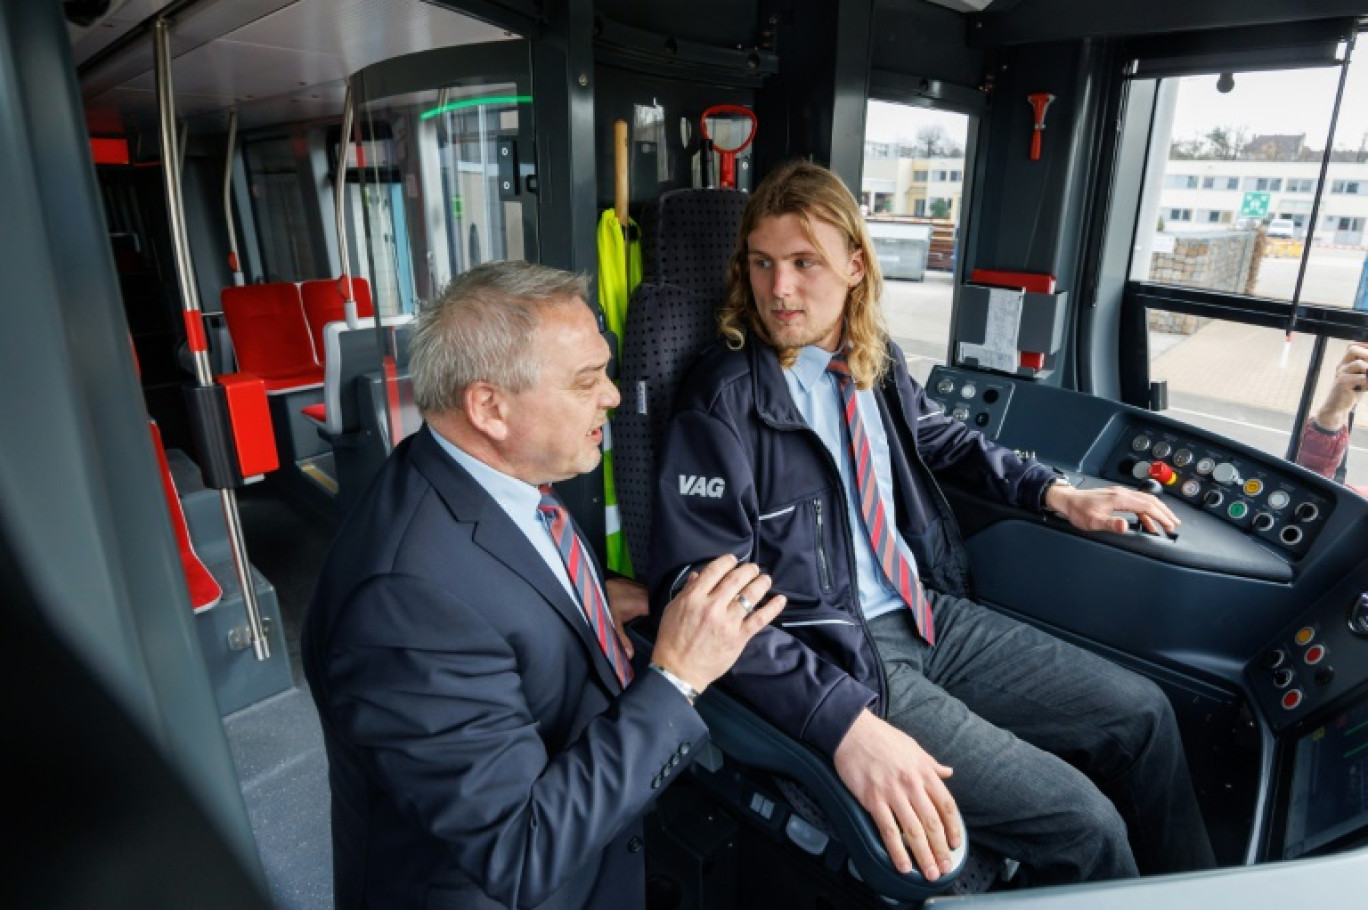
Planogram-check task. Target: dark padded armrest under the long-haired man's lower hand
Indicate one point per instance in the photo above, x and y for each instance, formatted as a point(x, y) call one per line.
point(752, 741)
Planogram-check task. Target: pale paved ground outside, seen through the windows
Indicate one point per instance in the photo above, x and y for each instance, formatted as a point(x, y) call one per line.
point(1239, 381)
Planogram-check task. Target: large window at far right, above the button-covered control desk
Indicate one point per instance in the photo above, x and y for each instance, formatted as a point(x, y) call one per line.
point(1250, 247)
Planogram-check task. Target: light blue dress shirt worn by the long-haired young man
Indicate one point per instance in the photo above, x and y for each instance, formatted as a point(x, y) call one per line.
point(819, 399)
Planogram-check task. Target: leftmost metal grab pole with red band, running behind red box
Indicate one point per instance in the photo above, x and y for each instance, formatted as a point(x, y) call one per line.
point(194, 320)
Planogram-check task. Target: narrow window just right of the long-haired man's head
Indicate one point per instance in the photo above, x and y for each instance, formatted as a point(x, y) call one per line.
point(913, 198)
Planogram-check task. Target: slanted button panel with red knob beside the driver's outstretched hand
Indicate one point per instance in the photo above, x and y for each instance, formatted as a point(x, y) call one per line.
point(1250, 495)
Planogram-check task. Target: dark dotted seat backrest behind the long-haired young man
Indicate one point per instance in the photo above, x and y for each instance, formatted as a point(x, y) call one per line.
point(689, 239)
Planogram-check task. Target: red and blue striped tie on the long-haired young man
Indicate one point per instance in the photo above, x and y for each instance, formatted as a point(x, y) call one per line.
point(882, 534)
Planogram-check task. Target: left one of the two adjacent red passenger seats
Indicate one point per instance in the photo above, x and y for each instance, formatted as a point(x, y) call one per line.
point(272, 336)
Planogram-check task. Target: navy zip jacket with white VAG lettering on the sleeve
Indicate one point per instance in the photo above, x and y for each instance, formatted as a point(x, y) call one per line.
point(742, 473)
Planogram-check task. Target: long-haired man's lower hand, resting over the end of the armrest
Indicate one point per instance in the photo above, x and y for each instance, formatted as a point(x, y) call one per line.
point(905, 790)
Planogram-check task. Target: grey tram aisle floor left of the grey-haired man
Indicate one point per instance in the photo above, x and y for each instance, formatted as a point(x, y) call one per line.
point(277, 744)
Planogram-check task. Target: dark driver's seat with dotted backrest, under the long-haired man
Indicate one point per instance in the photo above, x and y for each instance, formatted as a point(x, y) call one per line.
point(689, 237)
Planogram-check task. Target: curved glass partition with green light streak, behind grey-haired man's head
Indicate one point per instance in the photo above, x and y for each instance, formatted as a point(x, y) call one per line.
point(440, 180)
